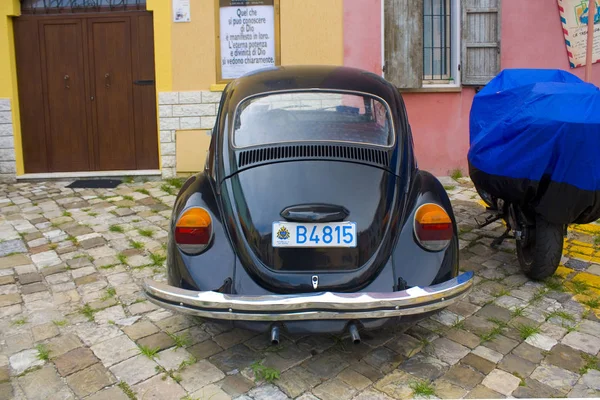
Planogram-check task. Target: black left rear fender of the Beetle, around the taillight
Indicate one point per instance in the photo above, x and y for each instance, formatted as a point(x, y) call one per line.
point(214, 268)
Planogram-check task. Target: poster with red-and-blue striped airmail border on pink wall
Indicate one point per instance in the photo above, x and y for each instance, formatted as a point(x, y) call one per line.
point(574, 19)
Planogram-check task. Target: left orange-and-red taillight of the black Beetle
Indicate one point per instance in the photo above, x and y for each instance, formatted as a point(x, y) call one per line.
point(193, 230)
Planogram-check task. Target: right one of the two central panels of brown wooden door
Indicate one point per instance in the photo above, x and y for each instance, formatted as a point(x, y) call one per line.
point(112, 85)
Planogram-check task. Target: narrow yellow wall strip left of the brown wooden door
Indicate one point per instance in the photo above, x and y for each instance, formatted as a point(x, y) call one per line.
point(8, 71)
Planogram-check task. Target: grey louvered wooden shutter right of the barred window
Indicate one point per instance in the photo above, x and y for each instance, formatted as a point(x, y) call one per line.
point(480, 41)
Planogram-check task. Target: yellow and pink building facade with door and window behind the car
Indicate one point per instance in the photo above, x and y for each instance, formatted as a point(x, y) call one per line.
point(131, 87)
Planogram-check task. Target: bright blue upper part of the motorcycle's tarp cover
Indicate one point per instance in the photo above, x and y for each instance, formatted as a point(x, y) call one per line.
point(527, 125)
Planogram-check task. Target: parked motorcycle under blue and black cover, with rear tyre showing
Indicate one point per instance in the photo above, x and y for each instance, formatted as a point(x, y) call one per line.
point(534, 144)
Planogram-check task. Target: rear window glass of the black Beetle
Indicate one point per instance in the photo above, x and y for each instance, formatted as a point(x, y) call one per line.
point(312, 116)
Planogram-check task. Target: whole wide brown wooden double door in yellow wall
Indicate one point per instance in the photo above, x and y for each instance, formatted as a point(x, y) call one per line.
point(87, 92)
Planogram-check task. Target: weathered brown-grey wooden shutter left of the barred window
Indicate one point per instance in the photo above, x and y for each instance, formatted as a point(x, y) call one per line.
point(403, 43)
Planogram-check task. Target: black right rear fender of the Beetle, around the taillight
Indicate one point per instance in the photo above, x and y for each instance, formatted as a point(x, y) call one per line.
point(413, 265)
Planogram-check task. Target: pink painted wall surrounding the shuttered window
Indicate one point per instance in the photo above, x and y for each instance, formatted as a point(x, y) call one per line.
point(440, 121)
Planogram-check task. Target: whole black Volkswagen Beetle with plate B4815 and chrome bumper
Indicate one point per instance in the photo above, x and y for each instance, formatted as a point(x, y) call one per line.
point(311, 214)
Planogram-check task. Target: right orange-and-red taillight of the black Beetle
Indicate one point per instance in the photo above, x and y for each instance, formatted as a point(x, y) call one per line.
point(433, 227)
